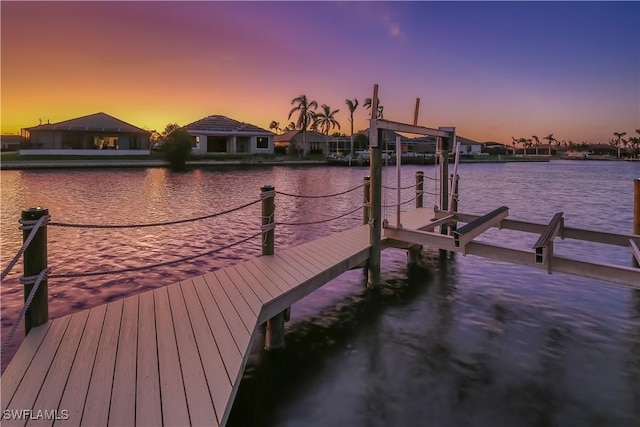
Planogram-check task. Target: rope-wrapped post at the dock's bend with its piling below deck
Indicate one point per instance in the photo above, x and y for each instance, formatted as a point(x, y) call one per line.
point(274, 331)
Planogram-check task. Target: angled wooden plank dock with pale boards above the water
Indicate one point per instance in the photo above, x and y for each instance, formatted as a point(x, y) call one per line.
point(174, 355)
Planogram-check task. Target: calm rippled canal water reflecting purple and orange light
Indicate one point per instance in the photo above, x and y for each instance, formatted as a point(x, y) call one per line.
point(457, 342)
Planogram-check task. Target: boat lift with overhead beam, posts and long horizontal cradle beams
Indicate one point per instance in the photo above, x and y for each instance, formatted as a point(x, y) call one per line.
point(453, 239)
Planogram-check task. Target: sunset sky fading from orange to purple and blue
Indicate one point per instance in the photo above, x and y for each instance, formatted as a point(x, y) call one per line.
point(493, 70)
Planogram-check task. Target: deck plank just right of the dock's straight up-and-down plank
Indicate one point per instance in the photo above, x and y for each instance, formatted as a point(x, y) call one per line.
point(172, 394)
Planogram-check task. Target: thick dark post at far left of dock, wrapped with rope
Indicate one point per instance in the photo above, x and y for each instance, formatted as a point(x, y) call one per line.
point(35, 260)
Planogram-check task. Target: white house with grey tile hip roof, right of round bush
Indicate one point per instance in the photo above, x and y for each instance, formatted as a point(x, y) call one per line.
point(220, 134)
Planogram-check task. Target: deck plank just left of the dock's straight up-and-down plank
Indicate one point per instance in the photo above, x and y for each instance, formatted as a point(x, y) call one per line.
point(123, 395)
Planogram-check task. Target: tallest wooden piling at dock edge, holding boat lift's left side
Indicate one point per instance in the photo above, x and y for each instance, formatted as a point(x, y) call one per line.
point(375, 139)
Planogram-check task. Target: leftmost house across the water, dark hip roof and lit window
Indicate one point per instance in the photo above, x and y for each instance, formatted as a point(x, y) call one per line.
point(95, 134)
